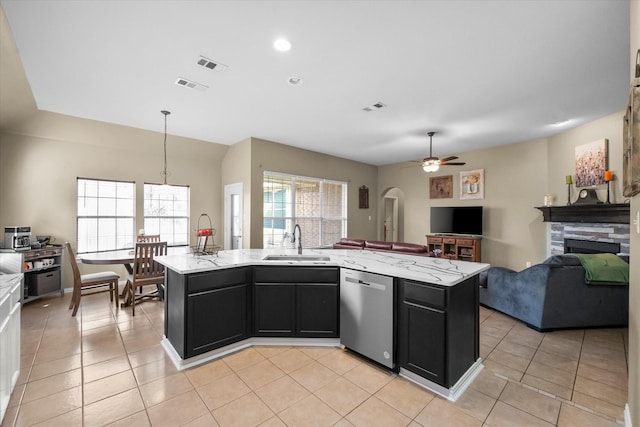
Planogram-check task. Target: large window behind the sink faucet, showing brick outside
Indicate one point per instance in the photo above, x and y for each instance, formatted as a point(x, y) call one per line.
point(318, 205)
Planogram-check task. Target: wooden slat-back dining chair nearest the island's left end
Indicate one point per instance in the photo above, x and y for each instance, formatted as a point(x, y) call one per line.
point(146, 271)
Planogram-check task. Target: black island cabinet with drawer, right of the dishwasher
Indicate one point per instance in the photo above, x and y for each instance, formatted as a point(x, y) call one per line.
point(438, 329)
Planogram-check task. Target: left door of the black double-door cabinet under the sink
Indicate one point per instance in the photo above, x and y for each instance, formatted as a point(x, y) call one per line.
point(274, 309)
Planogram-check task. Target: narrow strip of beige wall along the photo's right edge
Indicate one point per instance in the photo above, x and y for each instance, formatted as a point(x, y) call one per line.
point(634, 288)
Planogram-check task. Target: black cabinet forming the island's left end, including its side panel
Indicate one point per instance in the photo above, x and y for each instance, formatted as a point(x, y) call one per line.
point(206, 311)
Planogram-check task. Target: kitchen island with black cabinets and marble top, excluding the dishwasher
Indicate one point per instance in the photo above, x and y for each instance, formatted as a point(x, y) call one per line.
point(218, 304)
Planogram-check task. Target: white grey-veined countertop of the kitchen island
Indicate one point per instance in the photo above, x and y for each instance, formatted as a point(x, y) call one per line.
point(440, 271)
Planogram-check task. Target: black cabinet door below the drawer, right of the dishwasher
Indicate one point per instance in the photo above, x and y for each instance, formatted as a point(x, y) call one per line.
point(422, 341)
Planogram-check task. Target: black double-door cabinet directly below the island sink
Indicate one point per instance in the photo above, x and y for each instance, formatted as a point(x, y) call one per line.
point(296, 301)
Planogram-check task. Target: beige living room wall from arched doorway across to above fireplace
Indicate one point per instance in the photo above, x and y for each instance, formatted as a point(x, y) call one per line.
point(517, 177)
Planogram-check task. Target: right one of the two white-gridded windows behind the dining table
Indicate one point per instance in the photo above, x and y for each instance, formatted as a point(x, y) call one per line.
point(166, 212)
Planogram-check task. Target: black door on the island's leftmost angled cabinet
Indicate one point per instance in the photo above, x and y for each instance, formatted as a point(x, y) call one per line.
point(216, 317)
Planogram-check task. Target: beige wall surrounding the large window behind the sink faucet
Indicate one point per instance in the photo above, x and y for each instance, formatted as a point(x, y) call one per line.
point(274, 157)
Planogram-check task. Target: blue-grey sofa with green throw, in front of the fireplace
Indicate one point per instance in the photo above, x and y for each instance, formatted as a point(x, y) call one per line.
point(554, 295)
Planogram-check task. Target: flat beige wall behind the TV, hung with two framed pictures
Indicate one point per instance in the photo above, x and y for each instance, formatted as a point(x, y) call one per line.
point(513, 231)
